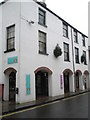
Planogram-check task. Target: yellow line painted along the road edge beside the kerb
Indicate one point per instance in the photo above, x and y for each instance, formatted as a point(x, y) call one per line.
point(29, 109)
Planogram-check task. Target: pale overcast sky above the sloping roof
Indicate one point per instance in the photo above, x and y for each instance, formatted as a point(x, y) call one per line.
point(74, 12)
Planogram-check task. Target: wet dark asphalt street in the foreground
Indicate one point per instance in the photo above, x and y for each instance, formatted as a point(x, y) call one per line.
point(75, 107)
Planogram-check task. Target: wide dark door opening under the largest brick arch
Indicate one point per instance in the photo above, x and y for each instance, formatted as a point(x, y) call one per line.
point(41, 84)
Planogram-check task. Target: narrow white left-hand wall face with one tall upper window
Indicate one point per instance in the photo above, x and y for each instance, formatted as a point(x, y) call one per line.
point(10, 16)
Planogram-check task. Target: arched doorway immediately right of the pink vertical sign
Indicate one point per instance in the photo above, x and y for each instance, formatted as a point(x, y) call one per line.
point(67, 75)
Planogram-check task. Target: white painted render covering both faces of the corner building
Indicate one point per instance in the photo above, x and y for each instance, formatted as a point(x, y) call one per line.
point(26, 48)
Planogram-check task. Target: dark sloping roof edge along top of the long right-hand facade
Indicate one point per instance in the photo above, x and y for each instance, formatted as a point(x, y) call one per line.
point(60, 18)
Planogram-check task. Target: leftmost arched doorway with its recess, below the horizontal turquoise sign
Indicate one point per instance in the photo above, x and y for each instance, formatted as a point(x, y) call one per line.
point(10, 84)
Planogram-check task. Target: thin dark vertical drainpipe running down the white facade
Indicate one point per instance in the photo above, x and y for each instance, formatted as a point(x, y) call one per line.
point(73, 60)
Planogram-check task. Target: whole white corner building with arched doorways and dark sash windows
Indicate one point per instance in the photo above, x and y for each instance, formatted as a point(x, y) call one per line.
point(41, 55)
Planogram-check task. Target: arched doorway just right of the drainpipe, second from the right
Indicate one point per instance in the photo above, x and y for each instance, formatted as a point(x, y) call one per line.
point(78, 82)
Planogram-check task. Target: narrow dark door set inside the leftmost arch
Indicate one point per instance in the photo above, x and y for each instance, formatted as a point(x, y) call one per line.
point(12, 86)
